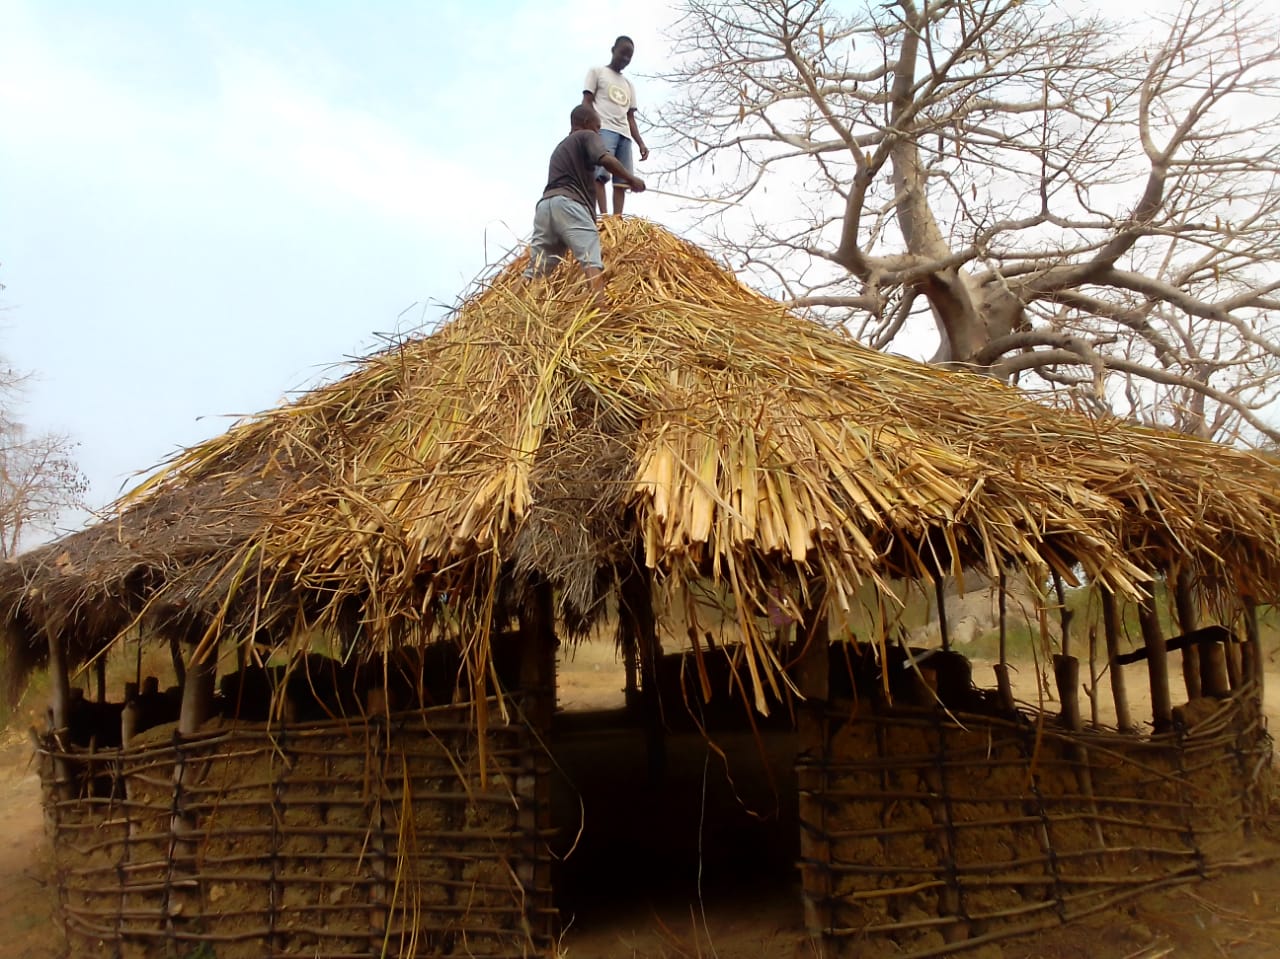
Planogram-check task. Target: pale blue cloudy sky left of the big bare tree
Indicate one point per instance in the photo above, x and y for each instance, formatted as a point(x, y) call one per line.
point(207, 205)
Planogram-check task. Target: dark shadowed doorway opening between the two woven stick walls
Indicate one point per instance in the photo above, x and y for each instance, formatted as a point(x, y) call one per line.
point(719, 828)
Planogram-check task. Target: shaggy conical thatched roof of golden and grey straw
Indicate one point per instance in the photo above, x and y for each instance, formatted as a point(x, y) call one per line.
point(693, 419)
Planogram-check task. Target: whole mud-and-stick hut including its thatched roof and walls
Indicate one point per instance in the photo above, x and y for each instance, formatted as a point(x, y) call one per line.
point(364, 591)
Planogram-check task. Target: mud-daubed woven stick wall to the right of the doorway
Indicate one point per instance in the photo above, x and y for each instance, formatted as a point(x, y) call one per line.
point(934, 835)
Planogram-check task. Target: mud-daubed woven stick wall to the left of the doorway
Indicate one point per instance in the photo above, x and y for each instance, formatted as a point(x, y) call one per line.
point(341, 839)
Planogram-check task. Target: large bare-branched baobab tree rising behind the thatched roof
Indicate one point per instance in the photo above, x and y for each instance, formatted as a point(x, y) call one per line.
point(1086, 207)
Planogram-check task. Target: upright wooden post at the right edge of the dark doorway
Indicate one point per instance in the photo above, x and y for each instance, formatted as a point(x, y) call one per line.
point(812, 677)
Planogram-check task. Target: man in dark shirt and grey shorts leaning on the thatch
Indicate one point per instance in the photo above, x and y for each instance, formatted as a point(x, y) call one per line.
point(565, 218)
